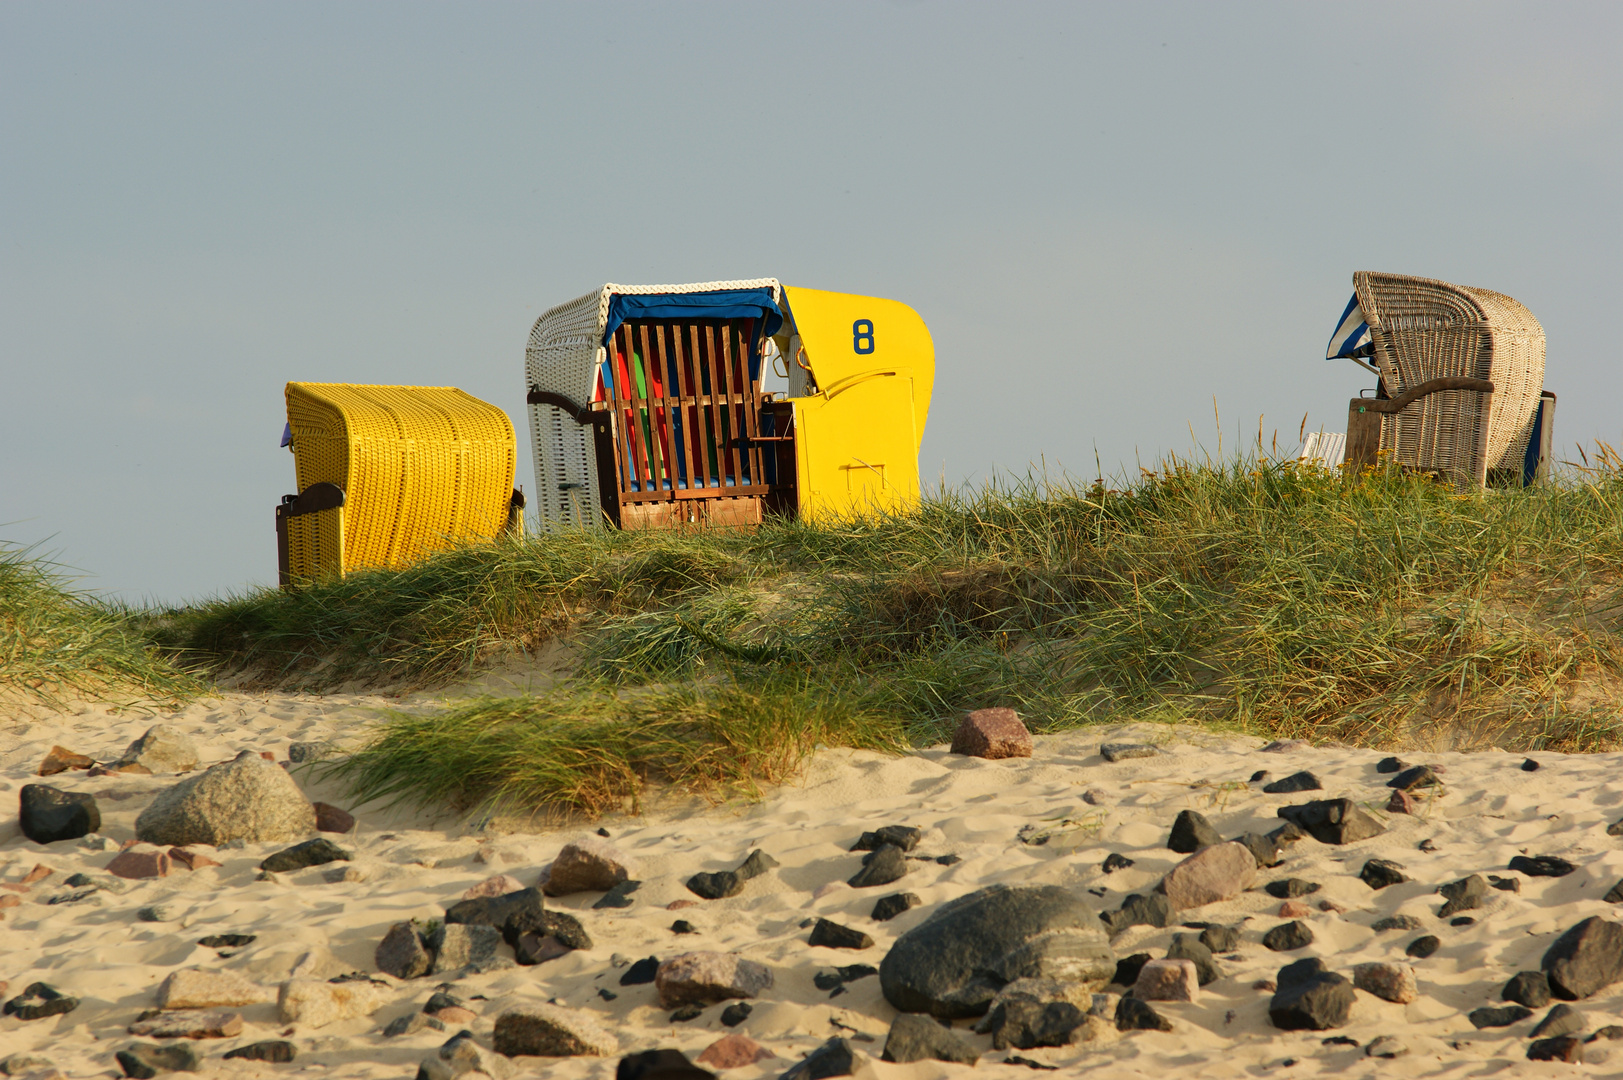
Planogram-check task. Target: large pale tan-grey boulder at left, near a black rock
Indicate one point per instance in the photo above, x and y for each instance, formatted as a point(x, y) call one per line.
point(246, 800)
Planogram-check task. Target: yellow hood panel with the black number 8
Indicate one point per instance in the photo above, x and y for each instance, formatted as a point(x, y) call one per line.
point(848, 335)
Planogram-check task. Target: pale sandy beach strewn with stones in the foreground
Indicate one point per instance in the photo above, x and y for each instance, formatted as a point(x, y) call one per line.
point(1043, 821)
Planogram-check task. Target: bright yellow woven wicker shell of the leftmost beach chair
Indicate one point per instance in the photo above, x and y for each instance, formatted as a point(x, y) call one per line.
point(421, 469)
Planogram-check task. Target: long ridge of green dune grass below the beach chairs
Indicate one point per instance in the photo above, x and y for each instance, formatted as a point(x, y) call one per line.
point(1259, 595)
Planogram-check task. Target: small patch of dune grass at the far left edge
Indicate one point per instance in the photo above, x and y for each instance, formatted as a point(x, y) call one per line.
point(58, 641)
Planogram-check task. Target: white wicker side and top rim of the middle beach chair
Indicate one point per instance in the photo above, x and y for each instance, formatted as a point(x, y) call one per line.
point(562, 356)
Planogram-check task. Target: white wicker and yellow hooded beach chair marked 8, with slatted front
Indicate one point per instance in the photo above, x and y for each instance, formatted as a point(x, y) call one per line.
point(647, 405)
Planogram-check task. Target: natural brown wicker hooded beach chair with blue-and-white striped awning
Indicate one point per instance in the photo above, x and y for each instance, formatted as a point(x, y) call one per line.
point(1462, 381)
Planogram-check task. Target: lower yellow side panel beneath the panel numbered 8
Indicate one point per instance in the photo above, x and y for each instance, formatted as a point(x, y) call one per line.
point(858, 447)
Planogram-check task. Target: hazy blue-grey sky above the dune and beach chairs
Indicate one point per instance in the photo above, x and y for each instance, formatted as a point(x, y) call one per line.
point(1129, 227)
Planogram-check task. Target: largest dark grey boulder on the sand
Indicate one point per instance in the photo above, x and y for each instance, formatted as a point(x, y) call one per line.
point(952, 964)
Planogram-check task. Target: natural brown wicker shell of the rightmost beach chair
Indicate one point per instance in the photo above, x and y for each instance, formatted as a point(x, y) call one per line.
point(1426, 329)
